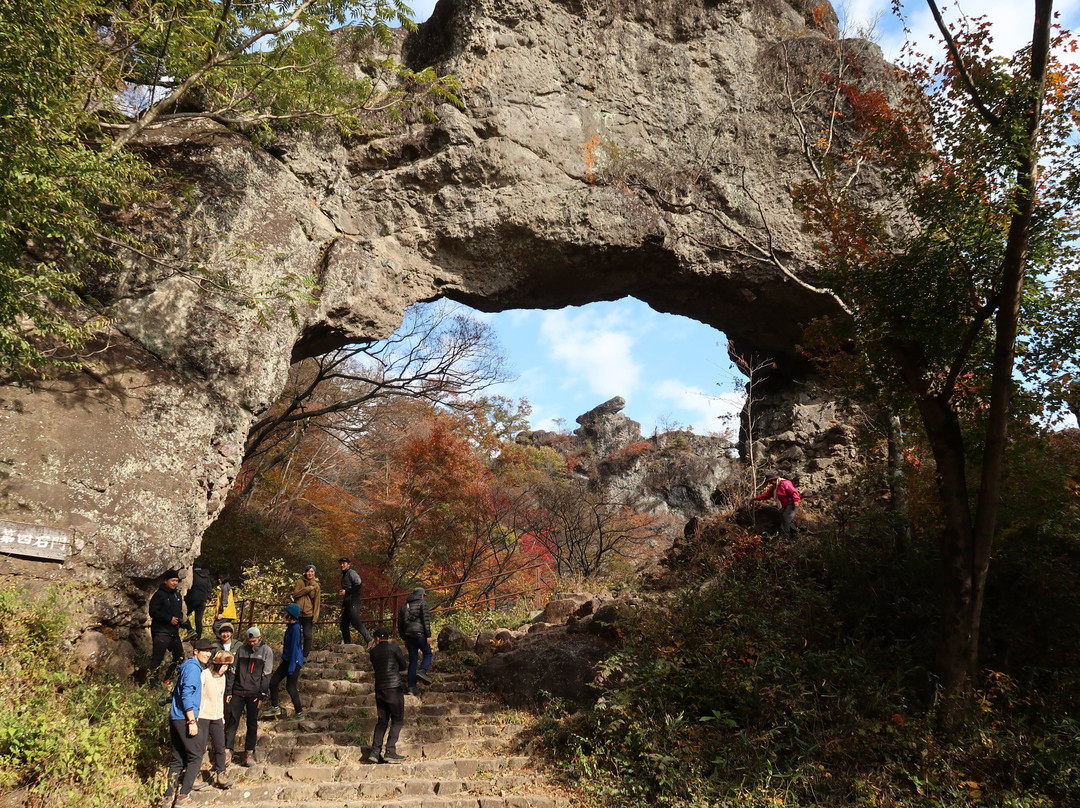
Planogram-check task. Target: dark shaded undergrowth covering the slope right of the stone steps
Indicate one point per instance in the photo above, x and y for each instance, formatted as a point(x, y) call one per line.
point(800, 678)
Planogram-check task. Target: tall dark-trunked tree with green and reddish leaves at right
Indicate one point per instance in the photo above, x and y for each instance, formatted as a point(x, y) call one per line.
point(981, 159)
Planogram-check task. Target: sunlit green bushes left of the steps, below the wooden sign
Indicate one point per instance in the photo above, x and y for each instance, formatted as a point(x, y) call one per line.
point(69, 737)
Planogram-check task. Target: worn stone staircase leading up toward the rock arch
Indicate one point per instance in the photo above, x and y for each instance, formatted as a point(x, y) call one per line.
point(460, 745)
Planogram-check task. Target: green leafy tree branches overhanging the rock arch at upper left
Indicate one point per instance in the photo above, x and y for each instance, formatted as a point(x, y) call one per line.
point(80, 80)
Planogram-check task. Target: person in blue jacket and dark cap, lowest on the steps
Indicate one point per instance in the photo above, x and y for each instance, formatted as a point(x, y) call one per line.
point(188, 744)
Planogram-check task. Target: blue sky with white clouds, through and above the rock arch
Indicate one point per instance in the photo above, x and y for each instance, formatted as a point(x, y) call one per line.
point(673, 371)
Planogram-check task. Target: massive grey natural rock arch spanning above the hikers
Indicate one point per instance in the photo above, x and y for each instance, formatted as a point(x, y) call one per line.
point(603, 151)
